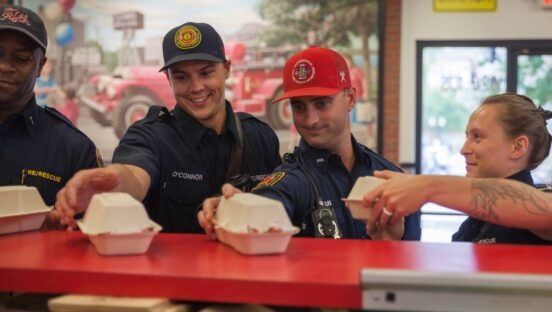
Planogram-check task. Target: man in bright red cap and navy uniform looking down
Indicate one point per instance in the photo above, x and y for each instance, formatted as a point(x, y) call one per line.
point(323, 168)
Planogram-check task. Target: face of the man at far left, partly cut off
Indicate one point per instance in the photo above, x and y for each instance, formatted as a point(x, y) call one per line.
point(21, 61)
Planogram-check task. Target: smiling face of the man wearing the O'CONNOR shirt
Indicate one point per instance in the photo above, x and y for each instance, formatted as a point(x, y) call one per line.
point(198, 87)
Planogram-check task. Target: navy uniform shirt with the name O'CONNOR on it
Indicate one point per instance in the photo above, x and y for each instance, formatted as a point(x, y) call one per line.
point(187, 162)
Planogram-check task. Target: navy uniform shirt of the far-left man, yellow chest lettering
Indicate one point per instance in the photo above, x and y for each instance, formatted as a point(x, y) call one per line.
point(40, 147)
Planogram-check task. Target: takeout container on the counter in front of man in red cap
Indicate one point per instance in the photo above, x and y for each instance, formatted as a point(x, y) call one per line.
point(238, 215)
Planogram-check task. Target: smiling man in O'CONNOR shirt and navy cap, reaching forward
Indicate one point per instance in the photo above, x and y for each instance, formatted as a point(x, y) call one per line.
point(173, 160)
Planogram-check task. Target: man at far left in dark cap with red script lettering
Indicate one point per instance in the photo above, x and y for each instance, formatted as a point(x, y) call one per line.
point(39, 146)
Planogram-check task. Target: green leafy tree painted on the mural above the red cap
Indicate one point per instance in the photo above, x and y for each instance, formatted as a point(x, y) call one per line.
point(325, 23)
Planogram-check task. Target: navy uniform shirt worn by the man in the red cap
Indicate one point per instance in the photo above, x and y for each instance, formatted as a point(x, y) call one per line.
point(293, 188)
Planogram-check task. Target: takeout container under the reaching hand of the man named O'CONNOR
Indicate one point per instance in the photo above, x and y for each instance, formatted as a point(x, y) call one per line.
point(118, 224)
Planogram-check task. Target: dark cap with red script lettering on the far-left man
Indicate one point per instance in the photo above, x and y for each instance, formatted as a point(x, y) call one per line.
point(25, 21)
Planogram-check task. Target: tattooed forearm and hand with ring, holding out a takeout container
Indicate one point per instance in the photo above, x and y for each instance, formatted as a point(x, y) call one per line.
point(500, 201)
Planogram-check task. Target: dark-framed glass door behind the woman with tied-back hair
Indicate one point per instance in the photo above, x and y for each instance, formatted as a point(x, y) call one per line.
point(452, 78)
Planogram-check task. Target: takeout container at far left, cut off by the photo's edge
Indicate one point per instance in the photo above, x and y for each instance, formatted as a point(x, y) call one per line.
point(21, 209)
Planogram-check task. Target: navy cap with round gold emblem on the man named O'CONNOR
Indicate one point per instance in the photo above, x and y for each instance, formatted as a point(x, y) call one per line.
point(191, 42)
